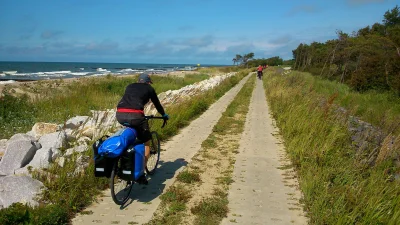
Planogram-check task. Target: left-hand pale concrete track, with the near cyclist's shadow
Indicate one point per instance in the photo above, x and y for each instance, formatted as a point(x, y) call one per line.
point(178, 152)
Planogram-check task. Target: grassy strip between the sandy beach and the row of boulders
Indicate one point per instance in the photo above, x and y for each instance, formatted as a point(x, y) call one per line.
point(18, 114)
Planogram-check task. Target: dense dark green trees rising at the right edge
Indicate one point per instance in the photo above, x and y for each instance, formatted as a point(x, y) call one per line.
point(366, 59)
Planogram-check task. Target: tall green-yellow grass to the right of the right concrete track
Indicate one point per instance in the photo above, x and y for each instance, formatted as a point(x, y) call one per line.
point(337, 188)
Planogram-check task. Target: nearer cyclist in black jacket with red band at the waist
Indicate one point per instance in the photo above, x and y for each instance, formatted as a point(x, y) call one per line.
point(130, 110)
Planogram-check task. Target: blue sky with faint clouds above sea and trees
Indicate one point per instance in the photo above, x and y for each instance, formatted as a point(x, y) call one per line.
point(174, 31)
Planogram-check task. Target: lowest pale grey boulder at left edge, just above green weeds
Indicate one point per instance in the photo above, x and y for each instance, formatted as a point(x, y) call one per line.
point(19, 189)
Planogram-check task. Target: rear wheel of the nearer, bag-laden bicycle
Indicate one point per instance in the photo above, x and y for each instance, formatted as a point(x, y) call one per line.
point(120, 189)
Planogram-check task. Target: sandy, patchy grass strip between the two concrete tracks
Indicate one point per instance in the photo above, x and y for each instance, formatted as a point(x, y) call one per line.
point(200, 193)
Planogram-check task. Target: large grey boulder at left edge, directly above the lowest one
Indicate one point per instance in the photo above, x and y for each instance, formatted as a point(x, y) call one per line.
point(17, 155)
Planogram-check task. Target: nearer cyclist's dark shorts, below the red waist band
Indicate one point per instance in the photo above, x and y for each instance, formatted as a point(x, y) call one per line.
point(137, 121)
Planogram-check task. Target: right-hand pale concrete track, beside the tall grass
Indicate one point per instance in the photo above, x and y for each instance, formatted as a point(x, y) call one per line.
point(262, 192)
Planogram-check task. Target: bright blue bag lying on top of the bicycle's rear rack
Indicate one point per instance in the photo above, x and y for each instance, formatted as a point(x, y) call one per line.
point(116, 144)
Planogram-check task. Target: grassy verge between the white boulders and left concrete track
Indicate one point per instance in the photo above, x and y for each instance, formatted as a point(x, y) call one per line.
point(72, 193)
